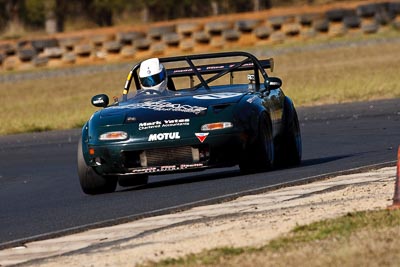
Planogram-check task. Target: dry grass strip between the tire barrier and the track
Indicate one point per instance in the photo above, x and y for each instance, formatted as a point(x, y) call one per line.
point(311, 77)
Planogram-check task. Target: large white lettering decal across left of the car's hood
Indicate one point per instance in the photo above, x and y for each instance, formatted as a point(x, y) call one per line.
point(163, 105)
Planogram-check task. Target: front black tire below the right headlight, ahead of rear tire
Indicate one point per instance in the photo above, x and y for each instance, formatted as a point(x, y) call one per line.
point(259, 156)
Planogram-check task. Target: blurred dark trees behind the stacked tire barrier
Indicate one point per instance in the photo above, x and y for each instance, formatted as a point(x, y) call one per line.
point(52, 15)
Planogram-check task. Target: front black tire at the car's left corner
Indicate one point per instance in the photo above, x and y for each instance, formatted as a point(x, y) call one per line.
point(91, 182)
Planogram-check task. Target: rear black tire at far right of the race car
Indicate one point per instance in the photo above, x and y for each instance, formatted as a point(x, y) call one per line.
point(288, 145)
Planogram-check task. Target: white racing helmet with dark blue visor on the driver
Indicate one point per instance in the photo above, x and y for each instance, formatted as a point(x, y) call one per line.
point(153, 75)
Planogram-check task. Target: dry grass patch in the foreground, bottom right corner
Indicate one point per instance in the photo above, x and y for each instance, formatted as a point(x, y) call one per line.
point(357, 239)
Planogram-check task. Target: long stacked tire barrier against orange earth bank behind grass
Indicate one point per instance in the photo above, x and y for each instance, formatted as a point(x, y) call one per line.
point(200, 35)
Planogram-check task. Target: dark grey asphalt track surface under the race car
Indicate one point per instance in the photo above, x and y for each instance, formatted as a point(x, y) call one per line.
point(40, 194)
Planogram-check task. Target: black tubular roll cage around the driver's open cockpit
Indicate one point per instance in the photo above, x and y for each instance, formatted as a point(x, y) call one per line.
point(250, 62)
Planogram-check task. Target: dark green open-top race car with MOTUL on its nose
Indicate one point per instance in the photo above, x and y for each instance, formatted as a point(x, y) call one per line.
point(220, 109)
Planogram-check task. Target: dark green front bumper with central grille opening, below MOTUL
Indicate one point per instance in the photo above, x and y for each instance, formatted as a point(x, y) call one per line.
point(187, 154)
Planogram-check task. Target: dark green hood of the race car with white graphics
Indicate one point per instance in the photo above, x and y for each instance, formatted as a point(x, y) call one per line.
point(174, 107)
